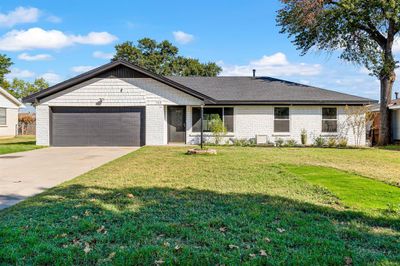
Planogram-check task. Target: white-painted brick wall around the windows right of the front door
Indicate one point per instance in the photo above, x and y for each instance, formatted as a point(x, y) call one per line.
point(250, 121)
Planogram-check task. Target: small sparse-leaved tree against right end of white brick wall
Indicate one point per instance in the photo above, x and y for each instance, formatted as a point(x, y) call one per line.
point(357, 118)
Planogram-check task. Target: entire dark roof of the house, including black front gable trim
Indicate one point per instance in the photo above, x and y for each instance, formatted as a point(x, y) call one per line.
point(216, 90)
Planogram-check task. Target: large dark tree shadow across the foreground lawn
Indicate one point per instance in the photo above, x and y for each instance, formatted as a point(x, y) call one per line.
point(188, 226)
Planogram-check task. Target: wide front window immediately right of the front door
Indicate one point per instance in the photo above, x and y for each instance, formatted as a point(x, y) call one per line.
point(225, 113)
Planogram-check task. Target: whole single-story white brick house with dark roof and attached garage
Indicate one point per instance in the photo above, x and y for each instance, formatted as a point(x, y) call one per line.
point(122, 104)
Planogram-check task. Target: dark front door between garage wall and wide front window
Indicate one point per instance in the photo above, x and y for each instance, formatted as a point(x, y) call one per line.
point(176, 124)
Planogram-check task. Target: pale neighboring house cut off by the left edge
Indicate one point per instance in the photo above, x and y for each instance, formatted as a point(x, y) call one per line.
point(9, 106)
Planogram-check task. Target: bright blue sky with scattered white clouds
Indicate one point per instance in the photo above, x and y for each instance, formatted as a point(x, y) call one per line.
point(60, 39)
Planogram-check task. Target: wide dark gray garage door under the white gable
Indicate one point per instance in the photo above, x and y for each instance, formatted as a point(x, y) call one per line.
point(97, 126)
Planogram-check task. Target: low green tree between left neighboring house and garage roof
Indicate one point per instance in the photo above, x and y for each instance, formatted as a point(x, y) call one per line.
point(20, 88)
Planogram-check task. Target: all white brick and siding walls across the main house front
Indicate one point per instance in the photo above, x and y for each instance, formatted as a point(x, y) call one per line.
point(249, 121)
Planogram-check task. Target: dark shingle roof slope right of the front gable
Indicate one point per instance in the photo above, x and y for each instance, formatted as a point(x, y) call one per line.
point(263, 89)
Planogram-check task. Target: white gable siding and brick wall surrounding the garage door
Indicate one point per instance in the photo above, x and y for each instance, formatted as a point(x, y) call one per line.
point(112, 92)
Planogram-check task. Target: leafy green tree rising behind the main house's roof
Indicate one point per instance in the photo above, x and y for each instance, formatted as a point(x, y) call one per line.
point(163, 58)
